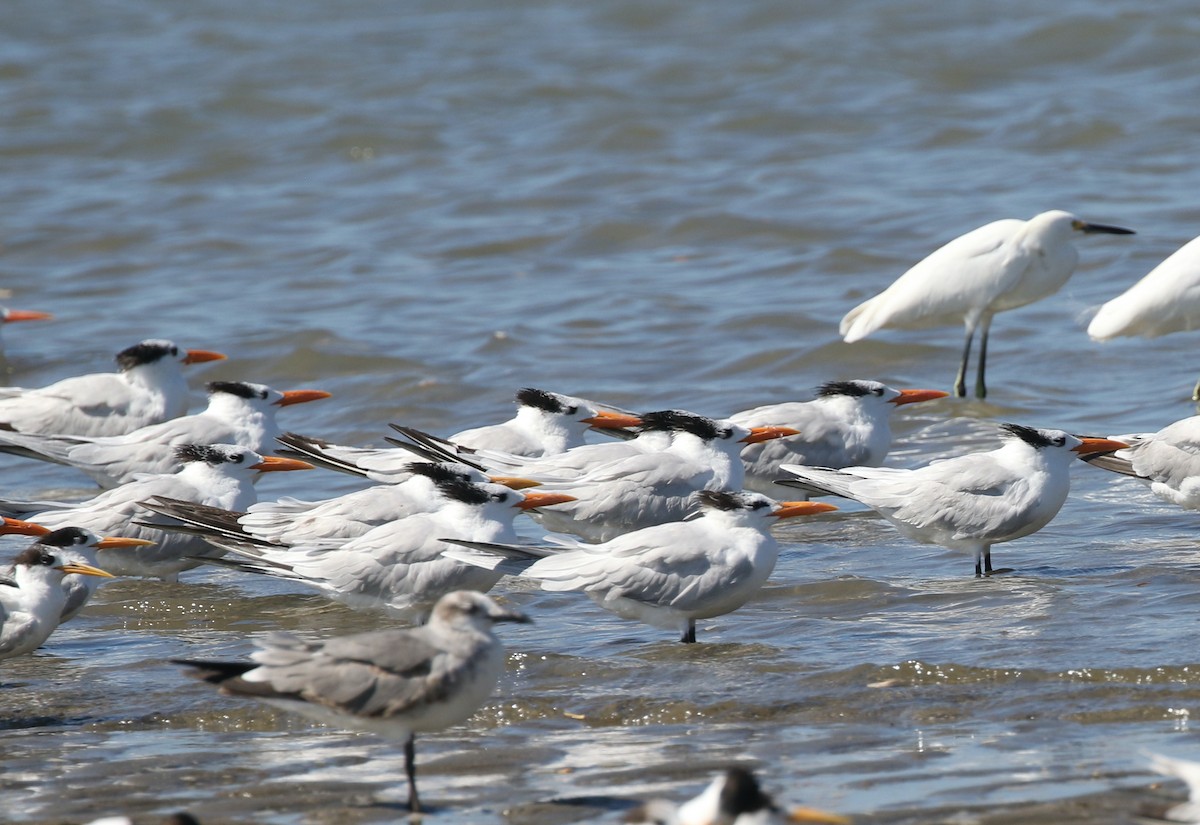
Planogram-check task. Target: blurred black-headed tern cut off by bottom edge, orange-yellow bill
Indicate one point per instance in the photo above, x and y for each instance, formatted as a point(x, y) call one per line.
point(733, 799)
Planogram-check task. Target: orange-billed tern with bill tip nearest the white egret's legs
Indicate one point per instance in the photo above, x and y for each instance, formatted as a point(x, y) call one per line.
point(847, 425)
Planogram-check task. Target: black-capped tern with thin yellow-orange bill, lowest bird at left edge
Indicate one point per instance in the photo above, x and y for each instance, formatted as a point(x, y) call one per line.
point(32, 597)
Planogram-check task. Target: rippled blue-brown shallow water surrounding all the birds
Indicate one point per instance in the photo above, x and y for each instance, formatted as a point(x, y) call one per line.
point(423, 207)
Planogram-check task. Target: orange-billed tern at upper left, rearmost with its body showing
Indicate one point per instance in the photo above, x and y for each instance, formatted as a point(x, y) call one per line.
point(149, 389)
